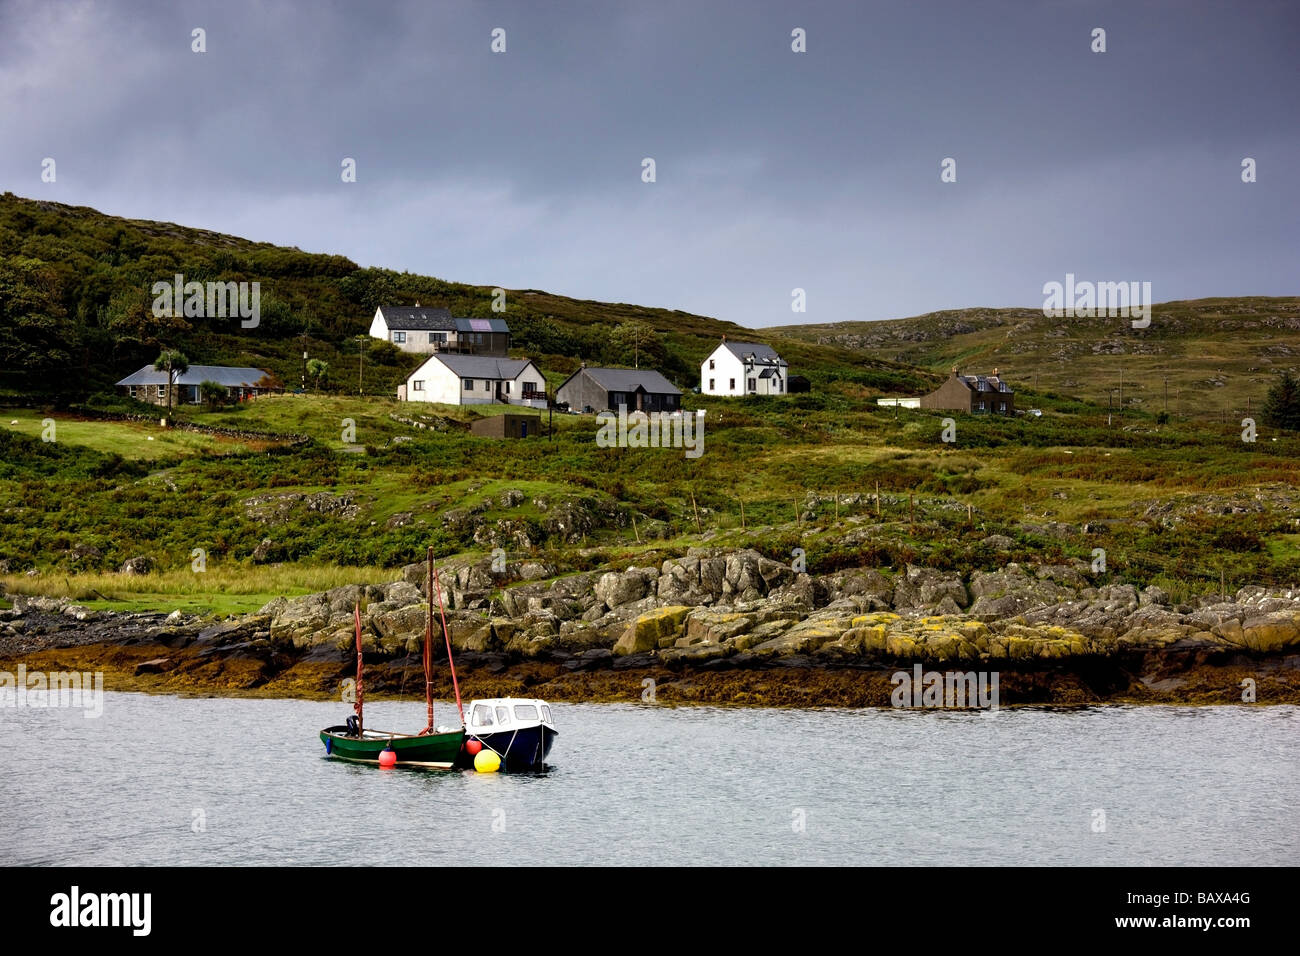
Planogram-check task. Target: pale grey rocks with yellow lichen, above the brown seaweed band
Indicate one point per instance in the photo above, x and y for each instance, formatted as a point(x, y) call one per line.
point(717, 608)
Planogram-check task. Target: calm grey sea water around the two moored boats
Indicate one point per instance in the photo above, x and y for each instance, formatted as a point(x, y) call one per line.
point(645, 784)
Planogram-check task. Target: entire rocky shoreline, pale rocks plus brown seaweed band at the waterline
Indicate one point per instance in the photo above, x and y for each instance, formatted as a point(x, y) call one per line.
point(710, 628)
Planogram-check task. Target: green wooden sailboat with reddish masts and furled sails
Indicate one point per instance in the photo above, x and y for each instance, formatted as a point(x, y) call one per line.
point(434, 749)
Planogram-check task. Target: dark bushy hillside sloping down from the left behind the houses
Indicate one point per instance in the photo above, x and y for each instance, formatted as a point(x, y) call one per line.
point(76, 297)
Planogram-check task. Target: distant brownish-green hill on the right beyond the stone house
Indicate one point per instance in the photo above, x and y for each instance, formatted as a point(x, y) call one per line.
point(1219, 357)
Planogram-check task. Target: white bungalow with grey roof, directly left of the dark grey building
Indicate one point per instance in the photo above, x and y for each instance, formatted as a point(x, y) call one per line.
point(475, 380)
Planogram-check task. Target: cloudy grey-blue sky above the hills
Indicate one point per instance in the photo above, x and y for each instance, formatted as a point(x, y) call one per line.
point(774, 170)
